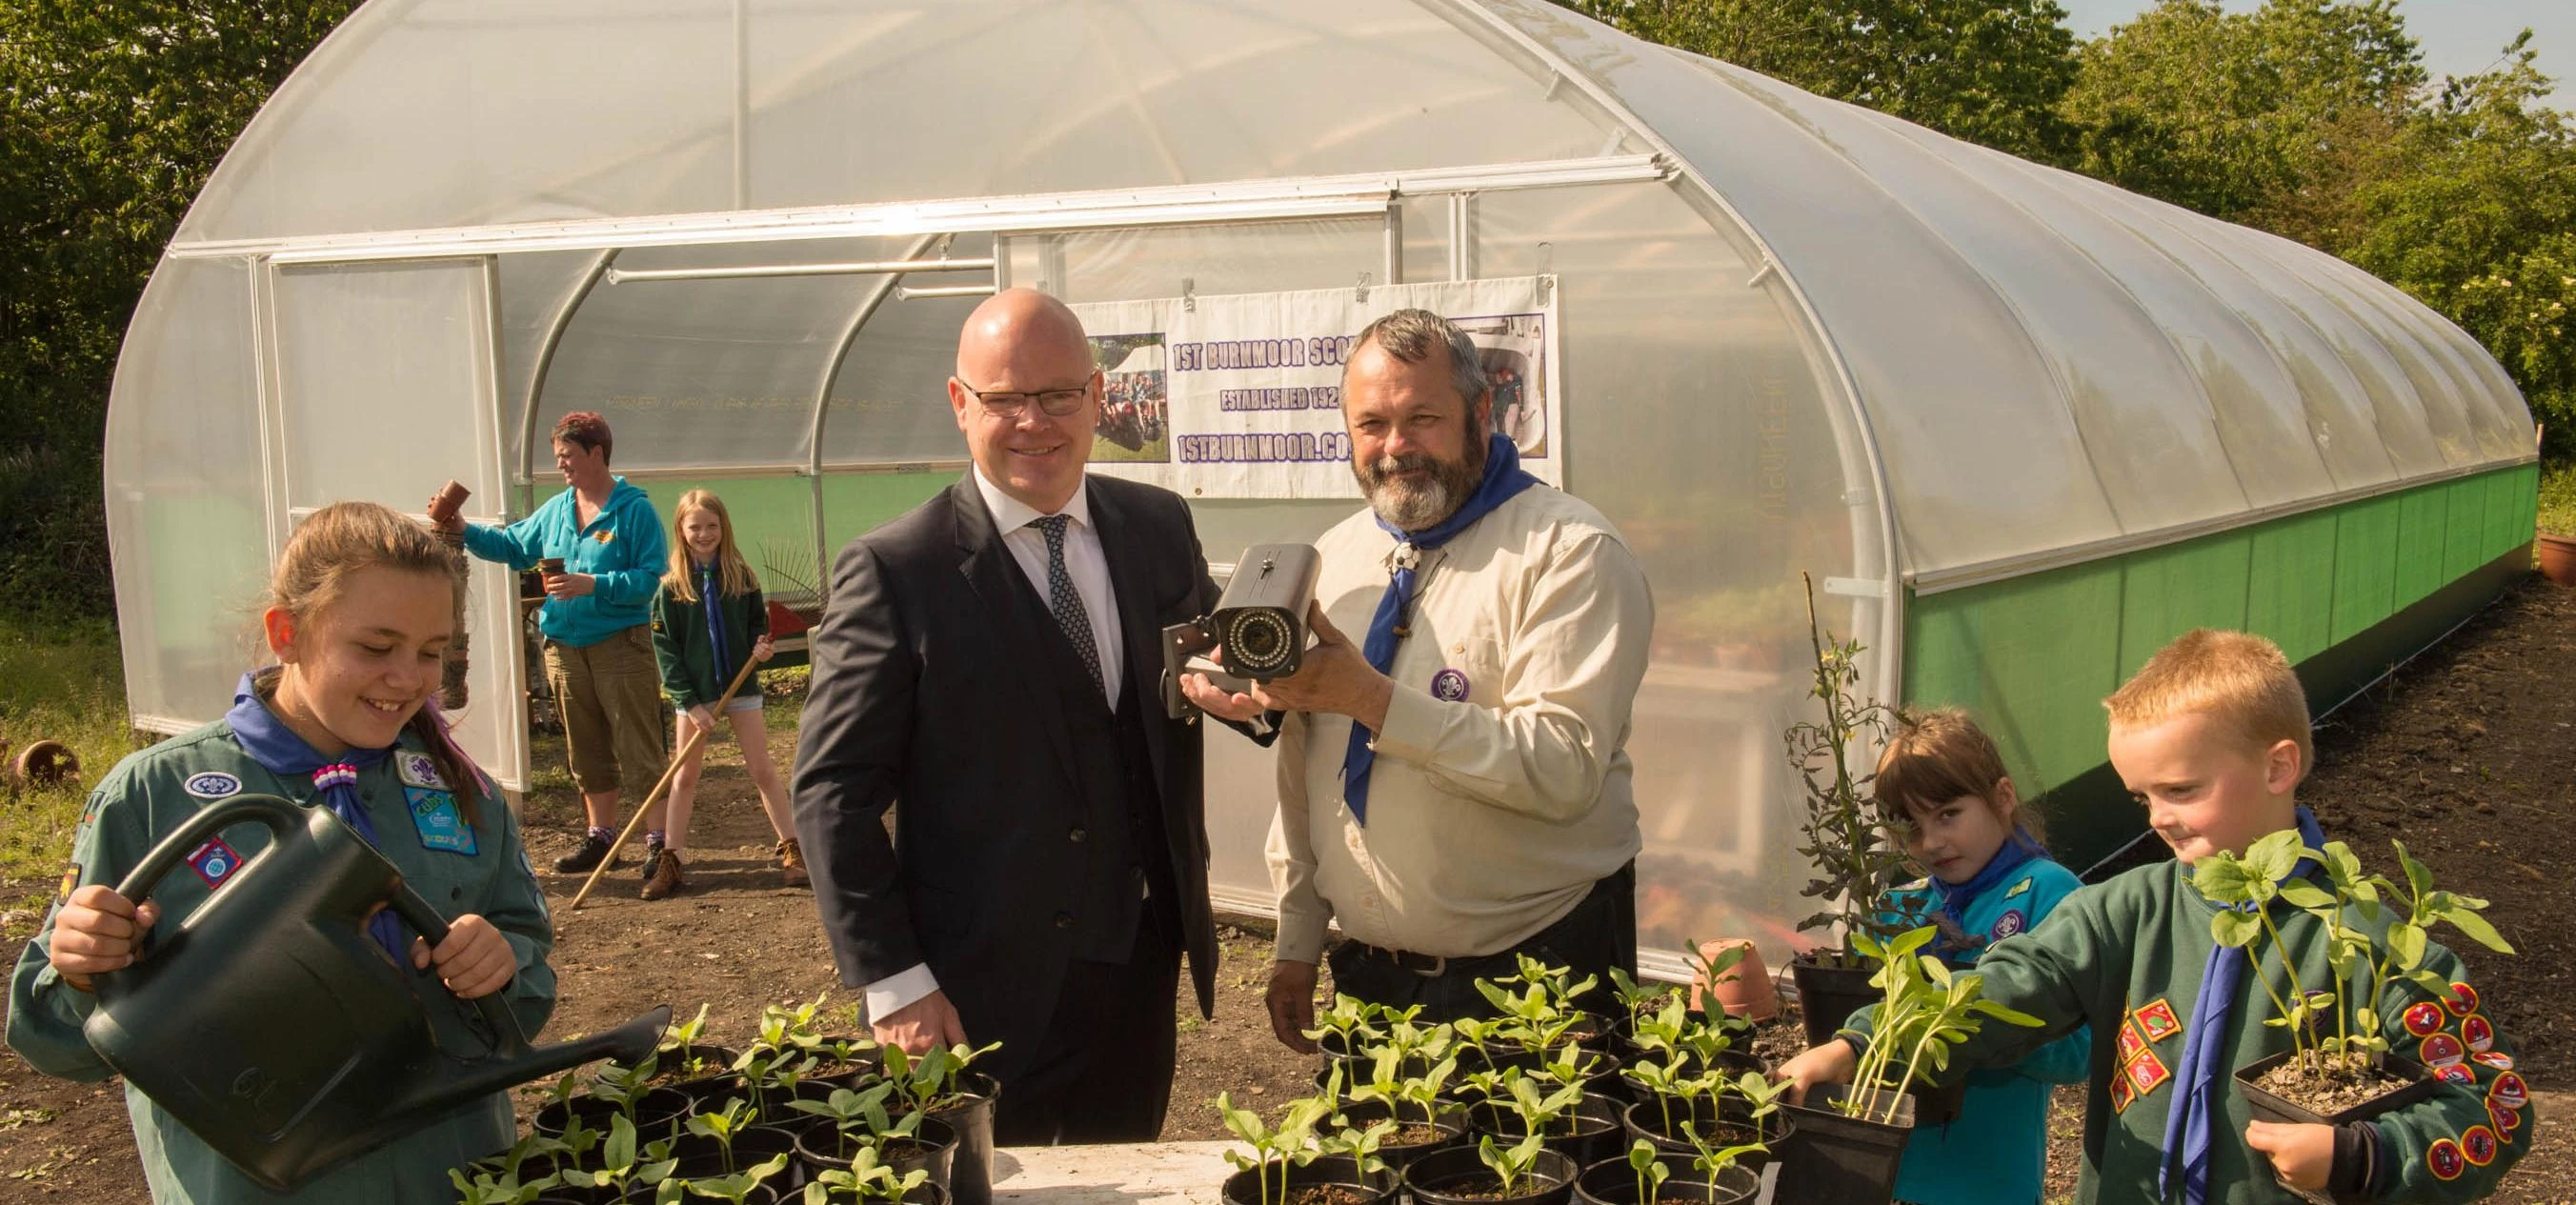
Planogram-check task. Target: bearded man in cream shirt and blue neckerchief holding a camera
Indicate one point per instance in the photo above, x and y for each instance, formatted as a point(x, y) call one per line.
point(1454, 784)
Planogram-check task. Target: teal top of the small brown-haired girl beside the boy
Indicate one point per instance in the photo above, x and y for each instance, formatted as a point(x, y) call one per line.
point(1998, 1150)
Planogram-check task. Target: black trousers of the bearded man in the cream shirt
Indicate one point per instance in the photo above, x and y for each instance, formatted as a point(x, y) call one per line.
point(1593, 939)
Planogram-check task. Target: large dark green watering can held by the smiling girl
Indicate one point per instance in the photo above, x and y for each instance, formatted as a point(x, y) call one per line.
point(274, 1029)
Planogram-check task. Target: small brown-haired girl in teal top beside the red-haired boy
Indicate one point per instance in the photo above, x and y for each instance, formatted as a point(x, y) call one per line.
point(1990, 879)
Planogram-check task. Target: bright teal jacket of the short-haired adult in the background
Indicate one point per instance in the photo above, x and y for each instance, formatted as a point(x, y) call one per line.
point(625, 550)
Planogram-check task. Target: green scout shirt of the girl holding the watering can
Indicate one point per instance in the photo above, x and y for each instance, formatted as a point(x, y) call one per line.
point(153, 794)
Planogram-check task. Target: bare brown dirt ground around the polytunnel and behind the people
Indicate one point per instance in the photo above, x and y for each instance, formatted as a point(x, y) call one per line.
point(2461, 758)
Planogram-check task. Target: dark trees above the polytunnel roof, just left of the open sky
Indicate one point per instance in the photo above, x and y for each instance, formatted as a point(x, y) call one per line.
point(1982, 71)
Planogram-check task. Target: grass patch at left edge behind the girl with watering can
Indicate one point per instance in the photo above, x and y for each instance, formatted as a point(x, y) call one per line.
point(66, 684)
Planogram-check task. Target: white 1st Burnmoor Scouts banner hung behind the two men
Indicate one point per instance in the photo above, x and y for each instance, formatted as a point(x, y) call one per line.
point(1243, 395)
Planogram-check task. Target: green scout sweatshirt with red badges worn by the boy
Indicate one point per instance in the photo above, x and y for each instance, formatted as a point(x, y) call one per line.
point(2124, 959)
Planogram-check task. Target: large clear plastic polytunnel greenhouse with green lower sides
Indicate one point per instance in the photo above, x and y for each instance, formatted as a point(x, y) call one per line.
point(2016, 424)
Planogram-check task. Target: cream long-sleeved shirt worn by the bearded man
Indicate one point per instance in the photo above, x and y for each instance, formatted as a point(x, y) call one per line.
point(1501, 789)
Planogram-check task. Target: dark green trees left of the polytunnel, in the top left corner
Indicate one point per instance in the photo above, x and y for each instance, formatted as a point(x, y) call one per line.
point(112, 117)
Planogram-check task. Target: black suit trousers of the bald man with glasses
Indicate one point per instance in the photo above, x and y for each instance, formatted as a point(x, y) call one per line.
point(1104, 1072)
